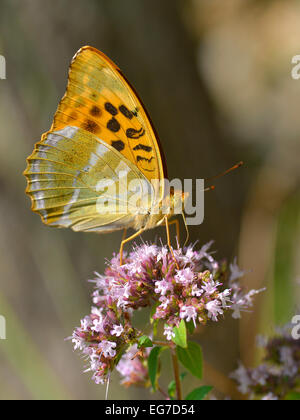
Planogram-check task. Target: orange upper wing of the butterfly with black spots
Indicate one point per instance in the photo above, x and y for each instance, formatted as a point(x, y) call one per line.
point(99, 99)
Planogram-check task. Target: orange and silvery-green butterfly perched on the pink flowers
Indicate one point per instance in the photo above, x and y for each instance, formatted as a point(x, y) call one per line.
point(100, 142)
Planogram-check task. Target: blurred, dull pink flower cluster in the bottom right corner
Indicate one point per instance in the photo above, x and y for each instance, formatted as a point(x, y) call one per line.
point(279, 374)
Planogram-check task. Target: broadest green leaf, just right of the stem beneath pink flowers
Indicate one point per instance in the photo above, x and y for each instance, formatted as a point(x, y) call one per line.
point(191, 358)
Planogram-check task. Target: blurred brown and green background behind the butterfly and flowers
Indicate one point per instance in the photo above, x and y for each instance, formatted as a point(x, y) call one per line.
point(216, 78)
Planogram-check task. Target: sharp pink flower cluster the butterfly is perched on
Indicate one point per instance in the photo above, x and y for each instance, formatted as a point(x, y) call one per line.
point(195, 288)
